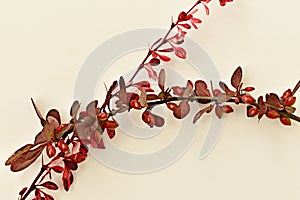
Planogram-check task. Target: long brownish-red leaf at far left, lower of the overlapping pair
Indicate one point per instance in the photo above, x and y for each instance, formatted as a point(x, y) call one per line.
point(26, 159)
